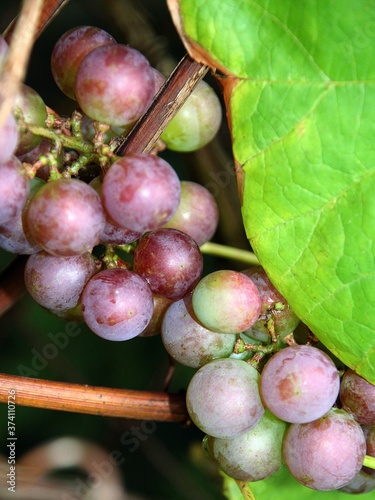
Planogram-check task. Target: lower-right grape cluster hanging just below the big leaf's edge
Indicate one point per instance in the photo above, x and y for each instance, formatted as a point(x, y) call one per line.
point(264, 401)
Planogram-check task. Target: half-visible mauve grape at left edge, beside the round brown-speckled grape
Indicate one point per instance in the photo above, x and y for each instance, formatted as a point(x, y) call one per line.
point(14, 190)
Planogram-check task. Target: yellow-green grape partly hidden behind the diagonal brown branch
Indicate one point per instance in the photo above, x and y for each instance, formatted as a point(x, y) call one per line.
point(196, 123)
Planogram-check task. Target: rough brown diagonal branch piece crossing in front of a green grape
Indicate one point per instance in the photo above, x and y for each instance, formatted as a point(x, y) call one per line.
point(170, 98)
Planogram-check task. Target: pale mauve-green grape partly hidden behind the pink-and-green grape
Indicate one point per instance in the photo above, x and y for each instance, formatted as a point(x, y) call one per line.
point(187, 341)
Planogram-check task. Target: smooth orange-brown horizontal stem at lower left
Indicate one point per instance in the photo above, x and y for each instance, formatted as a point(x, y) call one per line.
point(109, 402)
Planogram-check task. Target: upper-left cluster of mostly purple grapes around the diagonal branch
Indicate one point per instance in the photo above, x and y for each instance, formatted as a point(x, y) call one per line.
point(73, 227)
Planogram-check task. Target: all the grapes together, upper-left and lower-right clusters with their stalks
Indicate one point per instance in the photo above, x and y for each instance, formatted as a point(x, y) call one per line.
point(115, 242)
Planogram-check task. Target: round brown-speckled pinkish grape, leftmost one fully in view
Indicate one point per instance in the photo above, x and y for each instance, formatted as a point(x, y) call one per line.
point(65, 217)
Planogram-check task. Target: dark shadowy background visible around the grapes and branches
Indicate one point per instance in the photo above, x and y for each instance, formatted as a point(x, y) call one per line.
point(168, 464)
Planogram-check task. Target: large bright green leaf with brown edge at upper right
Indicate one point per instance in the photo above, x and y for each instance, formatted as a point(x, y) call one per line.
point(299, 84)
